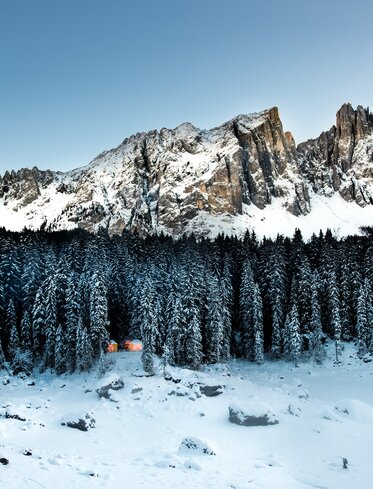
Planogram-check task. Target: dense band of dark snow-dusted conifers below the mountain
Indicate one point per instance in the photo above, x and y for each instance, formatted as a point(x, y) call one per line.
point(64, 295)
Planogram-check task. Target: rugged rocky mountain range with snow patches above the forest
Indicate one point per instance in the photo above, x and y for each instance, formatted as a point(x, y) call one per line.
point(245, 174)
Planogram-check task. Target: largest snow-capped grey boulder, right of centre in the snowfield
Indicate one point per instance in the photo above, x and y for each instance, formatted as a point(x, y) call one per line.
point(253, 414)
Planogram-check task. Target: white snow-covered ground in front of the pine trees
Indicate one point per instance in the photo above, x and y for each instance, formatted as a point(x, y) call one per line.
point(325, 414)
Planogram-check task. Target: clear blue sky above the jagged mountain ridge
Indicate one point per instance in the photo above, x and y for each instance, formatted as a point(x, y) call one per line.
point(78, 76)
